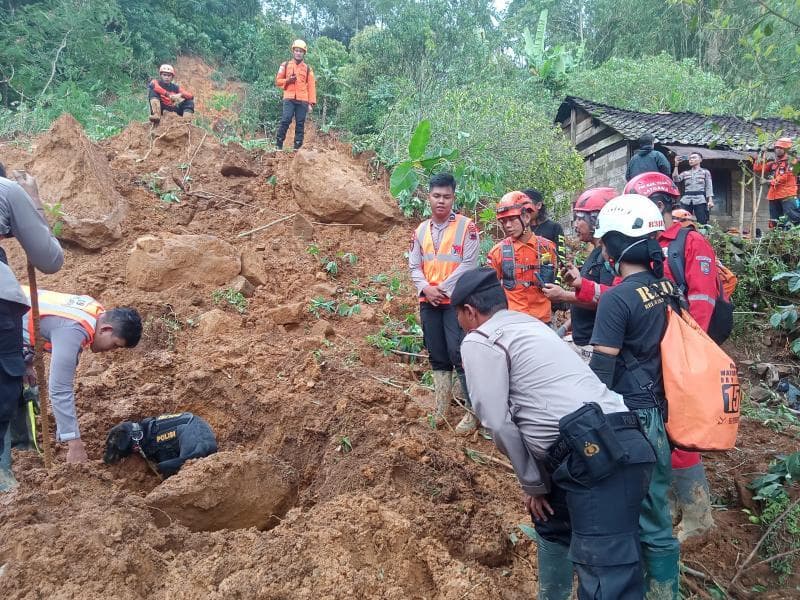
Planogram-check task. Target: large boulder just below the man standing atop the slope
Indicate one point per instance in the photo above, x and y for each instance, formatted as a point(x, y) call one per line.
point(332, 189)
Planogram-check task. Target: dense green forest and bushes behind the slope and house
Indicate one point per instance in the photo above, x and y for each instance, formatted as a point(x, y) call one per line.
point(488, 80)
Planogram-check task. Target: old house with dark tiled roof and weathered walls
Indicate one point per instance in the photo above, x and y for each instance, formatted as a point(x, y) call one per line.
point(607, 136)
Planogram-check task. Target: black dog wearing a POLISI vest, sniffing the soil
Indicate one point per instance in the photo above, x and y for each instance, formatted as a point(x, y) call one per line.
point(166, 441)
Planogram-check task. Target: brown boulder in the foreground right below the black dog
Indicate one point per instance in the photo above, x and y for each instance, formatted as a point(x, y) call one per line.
point(227, 490)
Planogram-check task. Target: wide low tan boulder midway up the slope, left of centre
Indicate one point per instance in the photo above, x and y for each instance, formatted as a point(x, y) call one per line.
point(160, 262)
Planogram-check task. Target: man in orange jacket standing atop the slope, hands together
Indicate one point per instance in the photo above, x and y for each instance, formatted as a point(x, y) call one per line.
point(296, 79)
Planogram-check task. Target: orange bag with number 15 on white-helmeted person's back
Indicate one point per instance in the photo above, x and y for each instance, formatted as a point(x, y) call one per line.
point(701, 383)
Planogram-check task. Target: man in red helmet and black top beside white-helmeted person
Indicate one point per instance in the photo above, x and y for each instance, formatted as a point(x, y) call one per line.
point(595, 269)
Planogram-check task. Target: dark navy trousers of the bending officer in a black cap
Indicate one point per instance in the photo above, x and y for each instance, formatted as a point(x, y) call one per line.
point(599, 520)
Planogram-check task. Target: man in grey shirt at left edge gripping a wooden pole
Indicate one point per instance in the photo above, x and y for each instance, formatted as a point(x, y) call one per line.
point(21, 217)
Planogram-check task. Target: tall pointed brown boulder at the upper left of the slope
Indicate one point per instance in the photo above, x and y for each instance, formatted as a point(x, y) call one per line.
point(71, 171)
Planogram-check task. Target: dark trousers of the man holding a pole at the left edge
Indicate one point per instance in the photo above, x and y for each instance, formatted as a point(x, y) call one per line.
point(12, 365)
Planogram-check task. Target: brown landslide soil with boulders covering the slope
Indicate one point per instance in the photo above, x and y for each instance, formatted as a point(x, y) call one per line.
point(329, 482)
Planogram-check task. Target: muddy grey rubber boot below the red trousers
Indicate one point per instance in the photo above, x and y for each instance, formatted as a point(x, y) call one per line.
point(692, 501)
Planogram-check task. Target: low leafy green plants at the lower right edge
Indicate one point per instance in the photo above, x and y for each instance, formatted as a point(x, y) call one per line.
point(780, 515)
